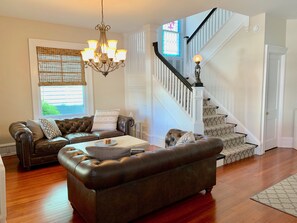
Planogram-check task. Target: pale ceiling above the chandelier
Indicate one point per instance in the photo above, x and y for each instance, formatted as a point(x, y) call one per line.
point(129, 15)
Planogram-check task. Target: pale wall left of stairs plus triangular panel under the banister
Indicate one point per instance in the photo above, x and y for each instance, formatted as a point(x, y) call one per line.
point(145, 97)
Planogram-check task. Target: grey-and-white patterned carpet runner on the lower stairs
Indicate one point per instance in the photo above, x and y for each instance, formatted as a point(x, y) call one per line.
point(235, 146)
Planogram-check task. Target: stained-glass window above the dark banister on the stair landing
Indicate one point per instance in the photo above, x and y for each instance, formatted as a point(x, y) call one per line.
point(171, 39)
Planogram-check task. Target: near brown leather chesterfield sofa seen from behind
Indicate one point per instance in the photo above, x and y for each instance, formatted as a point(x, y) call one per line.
point(124, 189)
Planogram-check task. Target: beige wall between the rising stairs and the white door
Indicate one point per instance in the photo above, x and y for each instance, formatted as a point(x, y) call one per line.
point(234, 75)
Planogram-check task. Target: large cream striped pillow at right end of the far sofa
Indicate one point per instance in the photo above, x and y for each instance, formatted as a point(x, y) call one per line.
point(105, 119)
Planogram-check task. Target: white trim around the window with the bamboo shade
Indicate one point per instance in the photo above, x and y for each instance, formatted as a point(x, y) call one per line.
point(36, 97)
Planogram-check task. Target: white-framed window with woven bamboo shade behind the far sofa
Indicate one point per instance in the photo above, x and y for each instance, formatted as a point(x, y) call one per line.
point(60, 87)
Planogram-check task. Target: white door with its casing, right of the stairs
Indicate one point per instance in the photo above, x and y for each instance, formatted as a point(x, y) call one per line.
point(273, 88)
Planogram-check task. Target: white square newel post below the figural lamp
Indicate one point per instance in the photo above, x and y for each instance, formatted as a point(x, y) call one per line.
point(198, 110)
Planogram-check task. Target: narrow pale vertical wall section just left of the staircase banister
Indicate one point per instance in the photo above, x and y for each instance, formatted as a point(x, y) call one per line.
point(138, 75)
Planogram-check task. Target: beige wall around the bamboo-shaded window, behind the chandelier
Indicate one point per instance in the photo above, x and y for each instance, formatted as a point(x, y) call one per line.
point(15, 86)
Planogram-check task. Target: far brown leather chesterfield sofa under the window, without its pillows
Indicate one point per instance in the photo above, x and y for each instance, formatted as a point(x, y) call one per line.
point(42, 151)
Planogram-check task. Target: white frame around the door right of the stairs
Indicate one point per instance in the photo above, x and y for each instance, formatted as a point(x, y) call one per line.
point(281, 51)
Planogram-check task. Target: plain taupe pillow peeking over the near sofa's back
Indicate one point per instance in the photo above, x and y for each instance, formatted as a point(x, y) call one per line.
point(108, 153)
